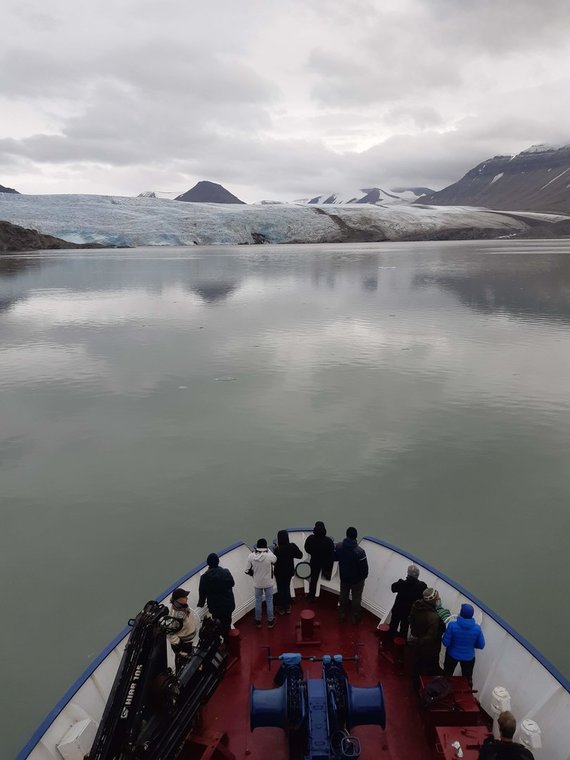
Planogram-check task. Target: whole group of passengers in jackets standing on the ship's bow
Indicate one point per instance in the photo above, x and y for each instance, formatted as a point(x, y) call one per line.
point(417, 610)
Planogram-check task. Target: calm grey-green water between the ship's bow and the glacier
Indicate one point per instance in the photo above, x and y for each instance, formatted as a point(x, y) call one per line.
point(159, 404)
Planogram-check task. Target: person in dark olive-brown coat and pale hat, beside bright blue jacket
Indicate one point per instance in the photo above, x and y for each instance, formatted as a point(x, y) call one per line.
point(426, 628)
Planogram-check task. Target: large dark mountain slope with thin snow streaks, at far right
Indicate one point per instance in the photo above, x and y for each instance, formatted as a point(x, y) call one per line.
point(538, 179)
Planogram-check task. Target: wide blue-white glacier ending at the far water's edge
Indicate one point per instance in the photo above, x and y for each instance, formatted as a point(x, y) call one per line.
point(150, 221)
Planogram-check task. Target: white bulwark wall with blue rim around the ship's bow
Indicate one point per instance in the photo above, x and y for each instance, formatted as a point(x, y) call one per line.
point(537, 690)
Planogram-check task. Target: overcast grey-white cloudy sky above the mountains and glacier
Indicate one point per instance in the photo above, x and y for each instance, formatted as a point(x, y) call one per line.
point(274, 100)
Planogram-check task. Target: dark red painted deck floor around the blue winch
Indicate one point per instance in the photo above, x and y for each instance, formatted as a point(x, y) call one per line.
point(228, 709)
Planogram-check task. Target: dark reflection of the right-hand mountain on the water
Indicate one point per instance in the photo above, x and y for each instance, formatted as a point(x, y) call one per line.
point(540, 291)
